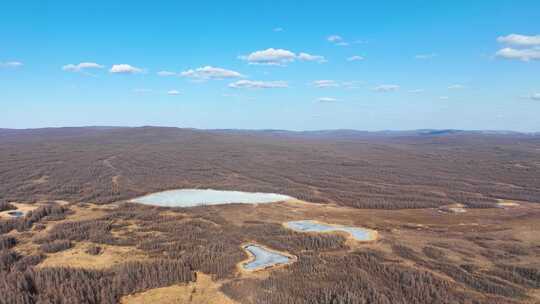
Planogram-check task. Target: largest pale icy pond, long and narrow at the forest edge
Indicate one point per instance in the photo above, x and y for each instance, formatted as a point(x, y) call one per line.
point(197, 197)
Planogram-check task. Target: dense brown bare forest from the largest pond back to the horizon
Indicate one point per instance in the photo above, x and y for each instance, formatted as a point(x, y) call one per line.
point(356, 169)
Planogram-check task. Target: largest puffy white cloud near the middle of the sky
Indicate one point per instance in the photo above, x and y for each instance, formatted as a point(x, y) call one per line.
point(279, 57)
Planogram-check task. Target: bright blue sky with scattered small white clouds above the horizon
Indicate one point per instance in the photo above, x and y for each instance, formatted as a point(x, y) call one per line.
point(300, 65)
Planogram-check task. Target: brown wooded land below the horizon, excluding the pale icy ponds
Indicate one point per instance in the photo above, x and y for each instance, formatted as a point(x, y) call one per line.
point(80, 236)
